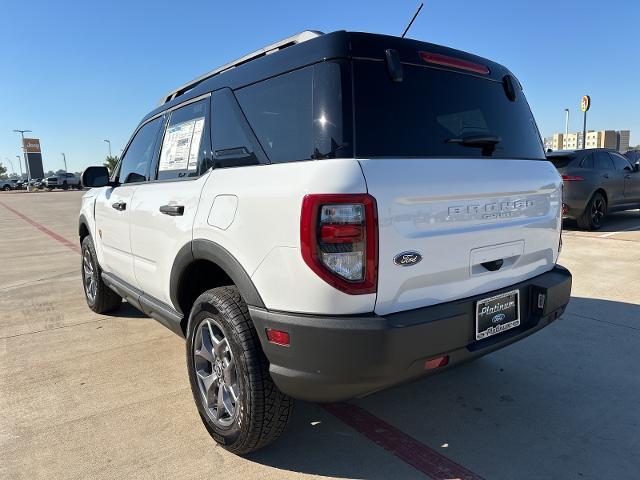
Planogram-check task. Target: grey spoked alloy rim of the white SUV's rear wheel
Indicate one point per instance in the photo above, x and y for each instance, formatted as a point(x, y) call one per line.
point(216, 373)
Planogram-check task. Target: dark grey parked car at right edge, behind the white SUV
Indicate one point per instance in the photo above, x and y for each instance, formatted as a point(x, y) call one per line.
point(596, 181)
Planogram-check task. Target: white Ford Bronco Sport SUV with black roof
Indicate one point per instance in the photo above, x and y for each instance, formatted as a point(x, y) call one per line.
point(327, 217)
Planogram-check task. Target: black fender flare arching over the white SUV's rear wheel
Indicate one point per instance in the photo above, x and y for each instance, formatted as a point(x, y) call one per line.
point(207, 250)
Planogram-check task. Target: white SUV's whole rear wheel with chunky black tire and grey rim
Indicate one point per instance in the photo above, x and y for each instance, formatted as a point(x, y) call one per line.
point(260, 412)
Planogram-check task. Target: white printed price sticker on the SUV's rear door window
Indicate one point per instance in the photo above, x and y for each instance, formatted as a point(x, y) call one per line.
point(181, 146)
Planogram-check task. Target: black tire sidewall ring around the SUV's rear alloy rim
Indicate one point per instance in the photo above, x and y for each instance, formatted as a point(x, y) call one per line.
point(235, 432)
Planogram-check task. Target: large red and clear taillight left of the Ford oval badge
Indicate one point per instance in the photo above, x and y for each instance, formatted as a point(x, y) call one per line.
point(339, 240)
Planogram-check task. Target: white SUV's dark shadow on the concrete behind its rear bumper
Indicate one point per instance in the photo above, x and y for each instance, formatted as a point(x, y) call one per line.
point(551, 402)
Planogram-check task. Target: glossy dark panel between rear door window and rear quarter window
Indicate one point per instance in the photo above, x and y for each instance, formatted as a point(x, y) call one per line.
point(234, 144)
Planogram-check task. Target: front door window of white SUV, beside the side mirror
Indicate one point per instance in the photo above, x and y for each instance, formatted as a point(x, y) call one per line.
point(135, 163)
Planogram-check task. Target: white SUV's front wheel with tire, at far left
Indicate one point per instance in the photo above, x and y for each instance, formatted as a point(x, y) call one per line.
point(100, 298)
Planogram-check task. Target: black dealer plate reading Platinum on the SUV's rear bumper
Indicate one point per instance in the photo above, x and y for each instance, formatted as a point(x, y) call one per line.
point(497, 314)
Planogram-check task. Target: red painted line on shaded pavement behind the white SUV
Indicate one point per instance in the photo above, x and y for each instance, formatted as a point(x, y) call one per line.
point(403, 446)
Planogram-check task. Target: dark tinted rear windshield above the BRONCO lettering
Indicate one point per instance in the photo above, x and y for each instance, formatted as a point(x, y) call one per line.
point(431, 109)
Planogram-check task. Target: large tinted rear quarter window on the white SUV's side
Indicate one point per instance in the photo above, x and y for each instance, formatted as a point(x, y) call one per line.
point(280, 113)
